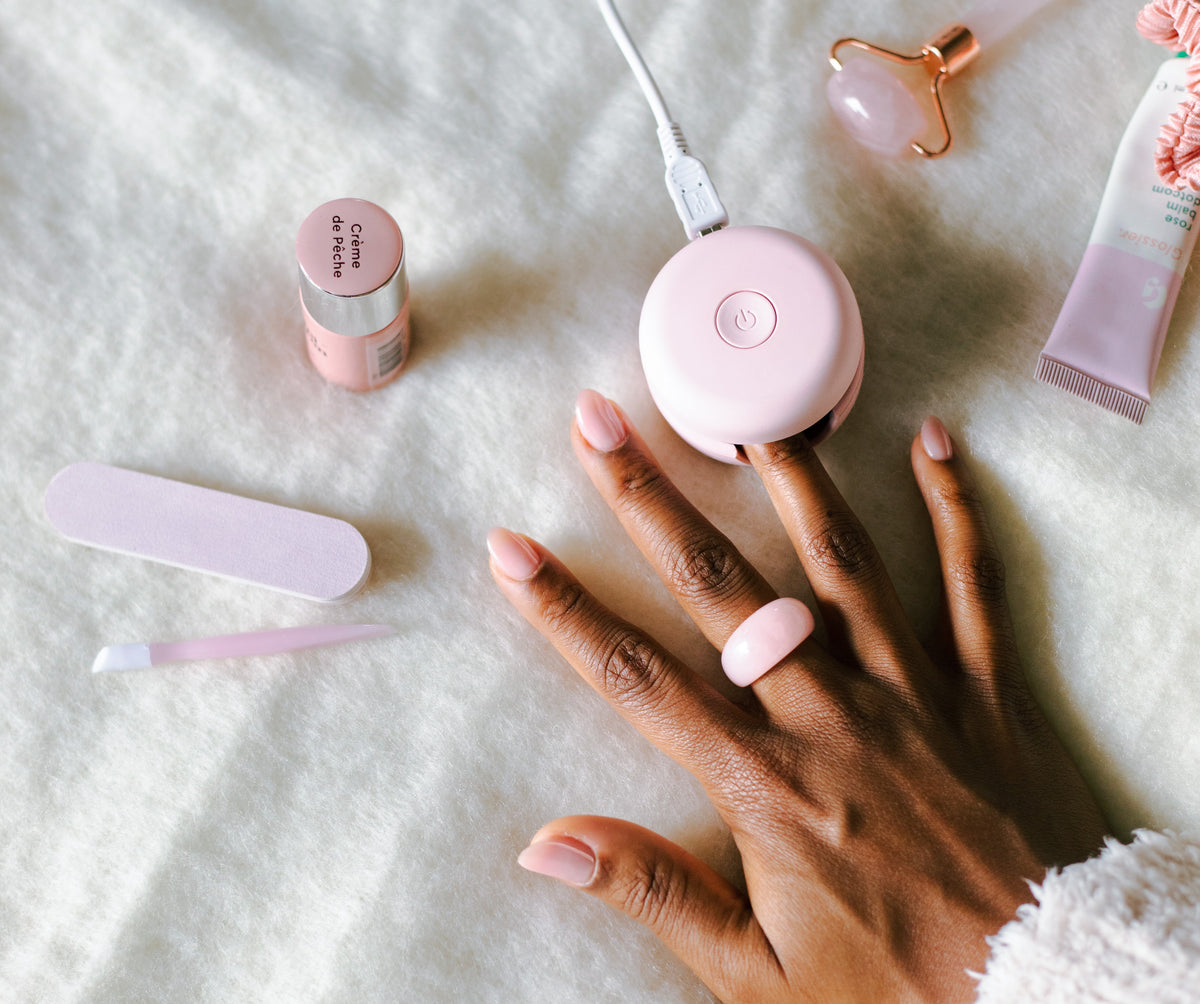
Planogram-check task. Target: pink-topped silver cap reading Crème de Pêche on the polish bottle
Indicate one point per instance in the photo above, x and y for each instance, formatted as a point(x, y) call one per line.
point(352, 267)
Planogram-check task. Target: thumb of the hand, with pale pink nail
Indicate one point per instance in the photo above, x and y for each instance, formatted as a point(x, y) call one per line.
point(693, 910)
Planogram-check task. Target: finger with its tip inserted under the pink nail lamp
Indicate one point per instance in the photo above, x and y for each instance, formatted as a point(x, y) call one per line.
point(862, 612)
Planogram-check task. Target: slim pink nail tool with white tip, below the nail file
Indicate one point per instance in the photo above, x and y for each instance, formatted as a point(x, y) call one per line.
point(145, 656)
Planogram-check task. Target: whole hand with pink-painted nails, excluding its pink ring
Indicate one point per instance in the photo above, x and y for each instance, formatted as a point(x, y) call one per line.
point(891, 803)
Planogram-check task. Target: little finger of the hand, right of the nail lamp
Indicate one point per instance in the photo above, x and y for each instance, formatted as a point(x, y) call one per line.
point(973, 572)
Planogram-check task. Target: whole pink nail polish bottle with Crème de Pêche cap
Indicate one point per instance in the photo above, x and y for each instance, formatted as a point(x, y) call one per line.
point(355, 293)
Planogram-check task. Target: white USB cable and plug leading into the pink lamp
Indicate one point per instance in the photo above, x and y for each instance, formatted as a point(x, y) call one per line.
point(688, 183)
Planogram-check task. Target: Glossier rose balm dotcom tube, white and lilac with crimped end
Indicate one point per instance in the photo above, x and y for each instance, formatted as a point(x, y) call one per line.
point(1109, 336)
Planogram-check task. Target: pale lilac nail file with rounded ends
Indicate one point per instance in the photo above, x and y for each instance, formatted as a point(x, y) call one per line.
point(205, 531)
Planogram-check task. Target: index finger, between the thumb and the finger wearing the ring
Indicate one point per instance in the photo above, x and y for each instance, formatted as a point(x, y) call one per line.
point(667, 702)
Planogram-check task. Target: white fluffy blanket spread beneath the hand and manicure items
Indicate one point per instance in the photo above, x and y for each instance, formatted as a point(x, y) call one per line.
point(343, 826)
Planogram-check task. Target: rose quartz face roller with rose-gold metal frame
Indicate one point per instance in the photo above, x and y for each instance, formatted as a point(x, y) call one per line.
point(881, 113)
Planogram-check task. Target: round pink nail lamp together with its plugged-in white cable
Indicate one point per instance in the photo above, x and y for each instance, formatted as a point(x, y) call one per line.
point(748, 334)
